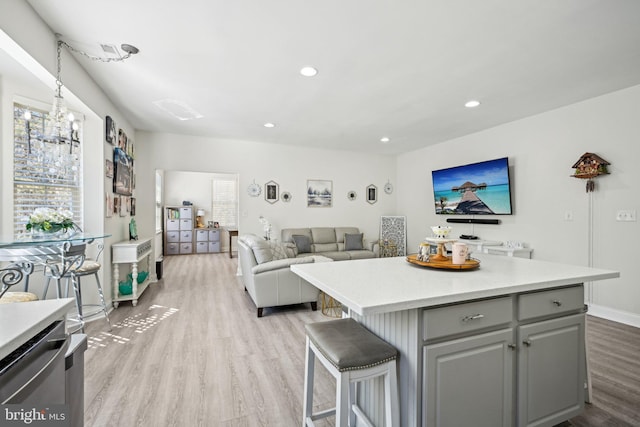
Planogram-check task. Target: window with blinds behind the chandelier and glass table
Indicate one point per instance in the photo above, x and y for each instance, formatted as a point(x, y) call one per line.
point(46, 174)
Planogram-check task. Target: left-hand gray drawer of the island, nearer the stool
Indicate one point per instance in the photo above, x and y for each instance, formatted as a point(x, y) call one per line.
point(467, 317)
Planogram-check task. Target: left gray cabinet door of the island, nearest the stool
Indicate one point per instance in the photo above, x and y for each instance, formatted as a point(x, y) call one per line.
point(469, 381)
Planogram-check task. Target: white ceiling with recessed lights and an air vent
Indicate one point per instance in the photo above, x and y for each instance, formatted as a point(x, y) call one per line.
point(401, 69)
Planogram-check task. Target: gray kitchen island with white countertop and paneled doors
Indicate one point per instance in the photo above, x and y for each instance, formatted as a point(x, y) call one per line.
point(474, 345)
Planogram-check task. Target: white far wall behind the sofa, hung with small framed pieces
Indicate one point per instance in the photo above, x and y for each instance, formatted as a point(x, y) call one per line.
point(290, 167)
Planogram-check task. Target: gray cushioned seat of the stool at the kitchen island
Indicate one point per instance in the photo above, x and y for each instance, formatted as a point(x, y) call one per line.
point(348, 345)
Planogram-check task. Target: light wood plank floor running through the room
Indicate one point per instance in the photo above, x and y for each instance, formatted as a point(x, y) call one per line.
point(193, 353)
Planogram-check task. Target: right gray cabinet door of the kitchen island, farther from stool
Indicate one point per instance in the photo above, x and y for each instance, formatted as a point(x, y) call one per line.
point(551, 371)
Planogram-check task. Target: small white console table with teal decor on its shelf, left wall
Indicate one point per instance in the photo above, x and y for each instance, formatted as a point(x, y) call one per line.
point(130, 252)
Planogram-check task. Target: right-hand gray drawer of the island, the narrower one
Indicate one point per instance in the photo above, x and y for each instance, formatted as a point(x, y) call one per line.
point(549, 302)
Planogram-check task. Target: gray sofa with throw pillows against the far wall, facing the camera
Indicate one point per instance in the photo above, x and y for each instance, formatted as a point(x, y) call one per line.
point(337, 243)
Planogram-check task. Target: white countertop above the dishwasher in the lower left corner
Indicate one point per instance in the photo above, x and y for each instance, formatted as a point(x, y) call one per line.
point(20, 321)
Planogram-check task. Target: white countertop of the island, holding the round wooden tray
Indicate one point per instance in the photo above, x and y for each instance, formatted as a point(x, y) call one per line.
point(383, 285)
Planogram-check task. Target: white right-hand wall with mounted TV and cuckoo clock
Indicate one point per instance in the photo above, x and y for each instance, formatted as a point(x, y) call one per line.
point(541, 151)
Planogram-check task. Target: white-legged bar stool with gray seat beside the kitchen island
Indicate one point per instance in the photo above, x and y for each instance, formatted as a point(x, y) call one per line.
point(351, 354)
